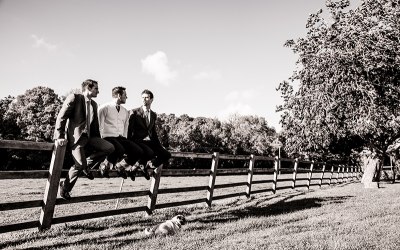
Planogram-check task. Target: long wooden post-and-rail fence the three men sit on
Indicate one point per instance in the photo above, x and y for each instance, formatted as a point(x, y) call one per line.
point(322, 173)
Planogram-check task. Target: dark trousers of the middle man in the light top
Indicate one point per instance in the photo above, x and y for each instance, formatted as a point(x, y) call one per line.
point(124, 146)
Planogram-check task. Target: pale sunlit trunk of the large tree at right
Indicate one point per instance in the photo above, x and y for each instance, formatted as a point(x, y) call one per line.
point(372, 170)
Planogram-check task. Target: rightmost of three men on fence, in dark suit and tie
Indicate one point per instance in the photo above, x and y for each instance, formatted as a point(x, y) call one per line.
point(142, 130)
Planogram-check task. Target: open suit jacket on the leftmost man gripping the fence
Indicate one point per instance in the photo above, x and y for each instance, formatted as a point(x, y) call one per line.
point(71, 119)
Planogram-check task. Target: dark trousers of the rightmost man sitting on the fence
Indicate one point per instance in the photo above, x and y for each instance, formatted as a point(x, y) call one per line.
point(153, 151)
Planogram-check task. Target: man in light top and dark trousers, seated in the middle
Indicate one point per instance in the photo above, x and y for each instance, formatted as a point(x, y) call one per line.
point(113, 122)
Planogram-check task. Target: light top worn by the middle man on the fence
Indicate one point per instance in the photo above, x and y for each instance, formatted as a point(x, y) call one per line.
point(113, 123)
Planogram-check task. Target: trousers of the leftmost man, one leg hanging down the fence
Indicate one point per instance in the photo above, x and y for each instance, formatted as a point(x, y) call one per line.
point(95, 147)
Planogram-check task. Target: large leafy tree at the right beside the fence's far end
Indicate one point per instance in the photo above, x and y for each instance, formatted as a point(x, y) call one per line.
point(347, 83)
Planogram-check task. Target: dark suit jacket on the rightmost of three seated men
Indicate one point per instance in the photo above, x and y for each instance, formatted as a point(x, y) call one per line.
point(138, 129)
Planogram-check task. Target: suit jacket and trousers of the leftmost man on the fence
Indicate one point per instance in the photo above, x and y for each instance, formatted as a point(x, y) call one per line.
point(71, 125)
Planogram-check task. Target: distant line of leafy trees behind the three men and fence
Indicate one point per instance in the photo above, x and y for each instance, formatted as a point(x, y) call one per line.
point(32, 117)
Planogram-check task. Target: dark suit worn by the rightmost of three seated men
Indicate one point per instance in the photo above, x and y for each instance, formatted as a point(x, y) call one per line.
point(139, 131)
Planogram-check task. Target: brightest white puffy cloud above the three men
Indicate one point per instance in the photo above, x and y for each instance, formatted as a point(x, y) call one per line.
point(157, 65)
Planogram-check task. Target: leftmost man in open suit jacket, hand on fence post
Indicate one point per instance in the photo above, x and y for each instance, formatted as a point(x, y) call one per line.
point(77, 124)
